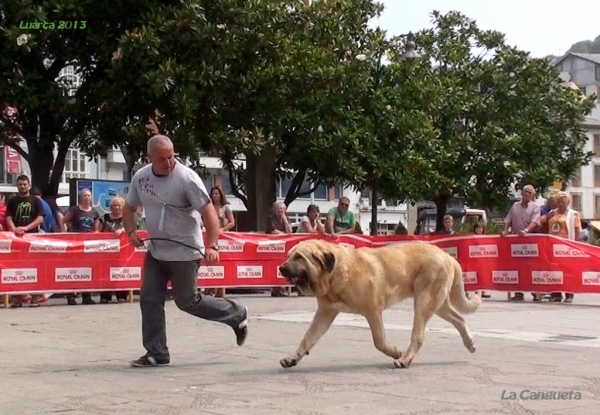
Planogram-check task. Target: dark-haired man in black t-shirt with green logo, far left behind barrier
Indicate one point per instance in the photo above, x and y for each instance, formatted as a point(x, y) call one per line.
point(24, 214)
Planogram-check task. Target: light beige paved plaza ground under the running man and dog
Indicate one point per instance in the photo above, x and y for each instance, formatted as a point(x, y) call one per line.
point(74, 360)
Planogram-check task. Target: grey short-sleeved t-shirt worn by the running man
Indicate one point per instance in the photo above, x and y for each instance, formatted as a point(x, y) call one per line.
point(171, 205)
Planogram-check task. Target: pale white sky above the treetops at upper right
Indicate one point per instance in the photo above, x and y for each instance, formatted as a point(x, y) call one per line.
point(539, 27)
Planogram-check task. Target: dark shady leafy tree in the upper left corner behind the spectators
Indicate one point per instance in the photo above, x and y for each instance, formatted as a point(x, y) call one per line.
point(51, 112)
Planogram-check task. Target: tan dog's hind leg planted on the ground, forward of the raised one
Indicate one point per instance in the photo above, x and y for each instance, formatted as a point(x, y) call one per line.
point(427, 302)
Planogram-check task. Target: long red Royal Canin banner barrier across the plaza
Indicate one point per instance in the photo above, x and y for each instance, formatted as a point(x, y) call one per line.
point(68, 262)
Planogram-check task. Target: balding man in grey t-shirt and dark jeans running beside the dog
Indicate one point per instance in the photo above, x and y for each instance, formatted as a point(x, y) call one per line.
point(172, 195)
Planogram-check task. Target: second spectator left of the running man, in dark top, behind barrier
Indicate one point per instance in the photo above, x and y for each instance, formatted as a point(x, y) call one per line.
point(82, 218)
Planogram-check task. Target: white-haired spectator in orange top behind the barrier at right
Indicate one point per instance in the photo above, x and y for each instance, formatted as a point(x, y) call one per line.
point(564, 223)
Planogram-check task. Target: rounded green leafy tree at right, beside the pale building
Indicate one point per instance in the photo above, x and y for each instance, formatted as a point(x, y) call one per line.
point(501, 116)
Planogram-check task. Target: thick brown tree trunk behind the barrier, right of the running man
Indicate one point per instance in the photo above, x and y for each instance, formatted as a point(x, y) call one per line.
point(260, 187)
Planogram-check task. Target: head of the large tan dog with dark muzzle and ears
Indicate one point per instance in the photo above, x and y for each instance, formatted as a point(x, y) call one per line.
point(309, 267)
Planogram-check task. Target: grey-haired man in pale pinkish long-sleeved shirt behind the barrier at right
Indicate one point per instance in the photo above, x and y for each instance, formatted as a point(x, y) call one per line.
point(522, 218)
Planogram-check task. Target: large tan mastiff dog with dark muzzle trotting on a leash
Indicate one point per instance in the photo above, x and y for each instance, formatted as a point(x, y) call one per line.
point(366, 281)
